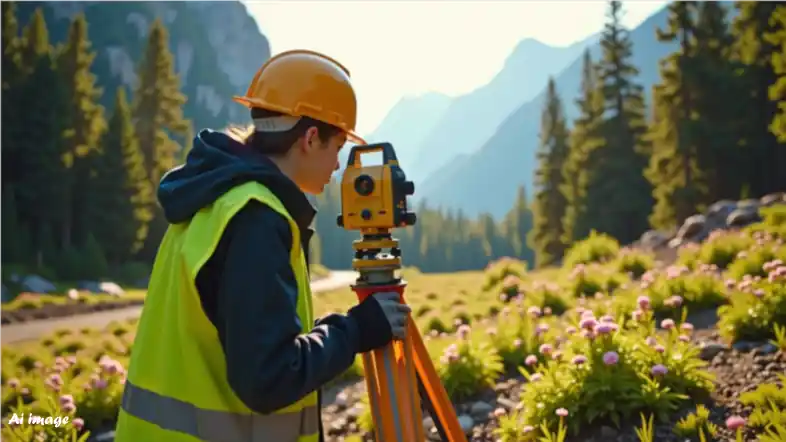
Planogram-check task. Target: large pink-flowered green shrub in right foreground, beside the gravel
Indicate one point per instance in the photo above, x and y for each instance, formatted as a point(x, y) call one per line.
point(603, 359)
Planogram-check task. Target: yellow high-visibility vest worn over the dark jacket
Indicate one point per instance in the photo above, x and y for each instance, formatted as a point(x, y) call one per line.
point(177, 388)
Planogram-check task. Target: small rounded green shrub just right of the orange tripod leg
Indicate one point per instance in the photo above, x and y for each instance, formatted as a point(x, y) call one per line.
point(467, 367)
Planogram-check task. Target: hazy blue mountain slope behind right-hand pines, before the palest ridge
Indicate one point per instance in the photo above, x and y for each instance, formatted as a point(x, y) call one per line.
point(487, 180)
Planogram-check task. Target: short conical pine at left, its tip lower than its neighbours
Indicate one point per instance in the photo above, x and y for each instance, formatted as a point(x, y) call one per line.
point(126, 193)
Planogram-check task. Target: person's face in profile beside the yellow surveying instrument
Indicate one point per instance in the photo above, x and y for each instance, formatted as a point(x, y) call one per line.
point(319, 160)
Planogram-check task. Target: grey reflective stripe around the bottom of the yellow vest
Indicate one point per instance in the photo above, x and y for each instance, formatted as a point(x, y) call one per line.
point(211, 425)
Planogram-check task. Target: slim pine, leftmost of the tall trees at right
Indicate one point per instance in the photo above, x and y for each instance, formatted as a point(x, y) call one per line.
point(550, 203)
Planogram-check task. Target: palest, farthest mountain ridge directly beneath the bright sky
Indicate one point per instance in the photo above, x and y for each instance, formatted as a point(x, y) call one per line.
point(472, 118)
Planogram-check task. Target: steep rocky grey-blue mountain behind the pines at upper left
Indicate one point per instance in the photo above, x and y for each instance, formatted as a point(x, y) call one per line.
point(217, 47)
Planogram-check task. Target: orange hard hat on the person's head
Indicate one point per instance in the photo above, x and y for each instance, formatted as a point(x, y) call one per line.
point(304, 83)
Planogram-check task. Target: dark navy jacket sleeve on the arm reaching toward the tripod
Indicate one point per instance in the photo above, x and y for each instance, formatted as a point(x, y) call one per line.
point(270, 362)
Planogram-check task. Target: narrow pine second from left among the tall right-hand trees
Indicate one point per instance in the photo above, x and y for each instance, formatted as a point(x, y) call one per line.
point(584, 138)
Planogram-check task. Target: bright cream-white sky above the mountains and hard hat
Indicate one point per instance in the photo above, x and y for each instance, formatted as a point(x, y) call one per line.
point(404, 48)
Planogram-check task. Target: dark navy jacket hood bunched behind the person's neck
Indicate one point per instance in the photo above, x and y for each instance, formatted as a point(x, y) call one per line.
point(215, 164)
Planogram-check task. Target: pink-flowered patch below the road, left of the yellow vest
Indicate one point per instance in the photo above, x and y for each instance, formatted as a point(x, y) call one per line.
point(79, 374)
